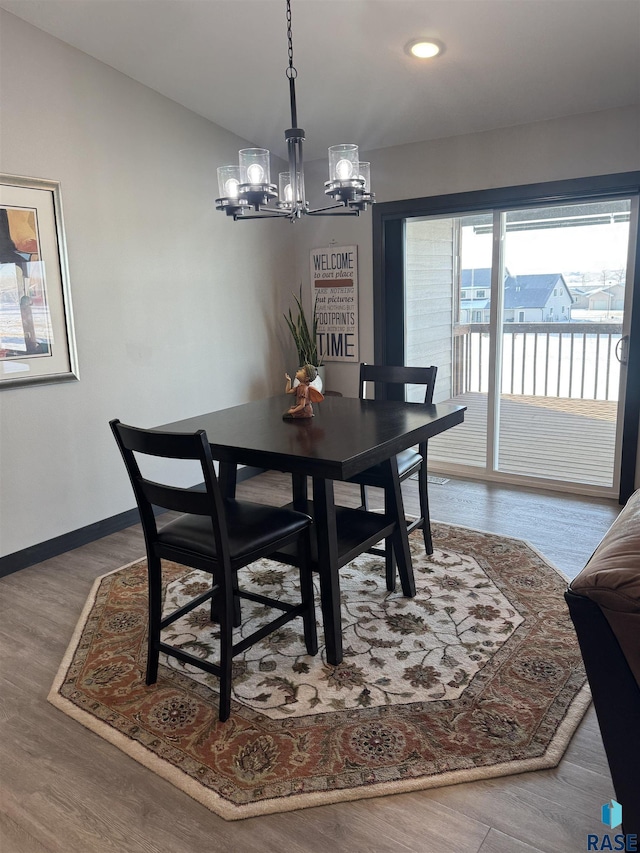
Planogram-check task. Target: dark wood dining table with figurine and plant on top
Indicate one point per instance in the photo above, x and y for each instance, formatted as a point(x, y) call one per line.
point(345, 437)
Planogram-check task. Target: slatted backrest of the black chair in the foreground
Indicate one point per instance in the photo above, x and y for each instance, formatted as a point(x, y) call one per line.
point(150, 494)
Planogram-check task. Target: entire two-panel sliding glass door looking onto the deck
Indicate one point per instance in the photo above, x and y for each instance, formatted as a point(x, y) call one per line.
point(526, 310)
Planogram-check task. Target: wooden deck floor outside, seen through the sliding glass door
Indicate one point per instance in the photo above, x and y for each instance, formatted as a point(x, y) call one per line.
point(549, 437)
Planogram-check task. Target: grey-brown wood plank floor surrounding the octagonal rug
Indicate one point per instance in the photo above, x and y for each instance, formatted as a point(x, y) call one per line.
point(62, 788)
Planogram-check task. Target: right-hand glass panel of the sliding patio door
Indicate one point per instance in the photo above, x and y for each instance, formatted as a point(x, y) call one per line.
point(563, 321)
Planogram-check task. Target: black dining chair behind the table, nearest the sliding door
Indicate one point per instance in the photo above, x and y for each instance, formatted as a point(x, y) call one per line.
point(410, 461)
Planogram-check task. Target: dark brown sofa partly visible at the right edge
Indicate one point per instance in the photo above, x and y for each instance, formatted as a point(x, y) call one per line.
point(604, 603)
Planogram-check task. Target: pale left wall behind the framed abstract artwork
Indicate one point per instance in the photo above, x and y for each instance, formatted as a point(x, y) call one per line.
point(177, 309)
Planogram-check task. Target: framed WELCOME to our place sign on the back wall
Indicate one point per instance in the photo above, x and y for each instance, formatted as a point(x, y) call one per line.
point(334, 282)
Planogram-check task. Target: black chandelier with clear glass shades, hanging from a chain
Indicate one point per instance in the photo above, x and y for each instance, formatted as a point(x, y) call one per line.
point(246, 191)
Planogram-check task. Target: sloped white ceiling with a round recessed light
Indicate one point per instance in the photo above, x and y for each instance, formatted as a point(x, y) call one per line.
point(506, 62)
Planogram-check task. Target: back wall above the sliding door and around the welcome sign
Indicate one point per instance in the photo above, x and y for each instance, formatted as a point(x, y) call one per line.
point(572, 147)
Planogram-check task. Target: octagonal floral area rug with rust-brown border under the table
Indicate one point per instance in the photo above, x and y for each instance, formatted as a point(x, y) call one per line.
point(477, 676)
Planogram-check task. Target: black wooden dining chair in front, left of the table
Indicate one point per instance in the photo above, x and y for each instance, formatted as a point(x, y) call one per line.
point(215, 535)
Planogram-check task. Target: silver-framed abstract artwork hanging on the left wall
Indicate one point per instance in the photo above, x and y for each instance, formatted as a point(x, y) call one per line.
point(37, 338)
